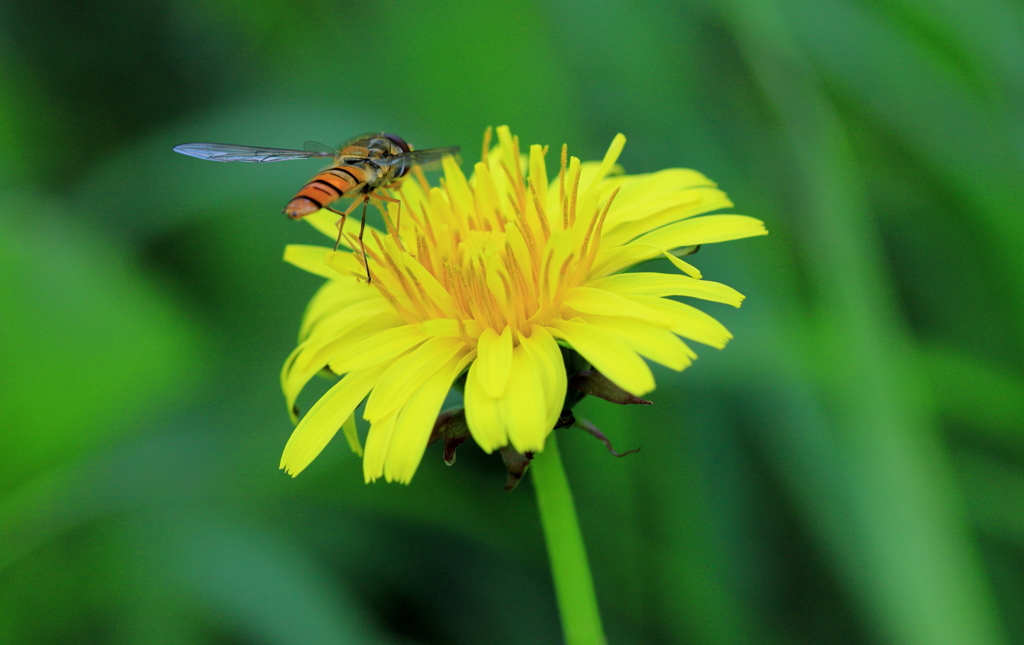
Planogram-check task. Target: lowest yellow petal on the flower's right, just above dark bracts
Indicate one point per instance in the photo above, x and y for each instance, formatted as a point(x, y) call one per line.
point(608, 354)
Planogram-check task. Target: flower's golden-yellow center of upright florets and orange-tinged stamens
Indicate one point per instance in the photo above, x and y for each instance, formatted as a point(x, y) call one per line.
point(499, 250)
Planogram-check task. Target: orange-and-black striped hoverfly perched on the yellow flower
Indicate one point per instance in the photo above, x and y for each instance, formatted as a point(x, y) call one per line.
point(360, 168)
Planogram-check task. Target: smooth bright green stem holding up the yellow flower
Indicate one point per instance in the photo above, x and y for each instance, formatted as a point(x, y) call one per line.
point(574, 586)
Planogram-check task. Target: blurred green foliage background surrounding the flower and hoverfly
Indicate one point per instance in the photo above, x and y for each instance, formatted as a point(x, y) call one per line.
point(850, 470)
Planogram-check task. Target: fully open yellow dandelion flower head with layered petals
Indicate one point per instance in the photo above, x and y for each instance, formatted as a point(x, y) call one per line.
point(492, 274)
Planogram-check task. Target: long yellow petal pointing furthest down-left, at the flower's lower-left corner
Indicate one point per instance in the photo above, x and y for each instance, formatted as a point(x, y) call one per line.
point(325, 418)
